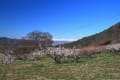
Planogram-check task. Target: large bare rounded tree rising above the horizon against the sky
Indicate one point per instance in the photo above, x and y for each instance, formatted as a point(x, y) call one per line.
point(42, 39)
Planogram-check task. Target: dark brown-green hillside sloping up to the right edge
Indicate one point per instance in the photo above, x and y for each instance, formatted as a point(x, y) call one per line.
point(105, 37)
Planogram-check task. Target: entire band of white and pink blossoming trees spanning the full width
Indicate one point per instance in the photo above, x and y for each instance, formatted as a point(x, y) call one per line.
point(60, 53)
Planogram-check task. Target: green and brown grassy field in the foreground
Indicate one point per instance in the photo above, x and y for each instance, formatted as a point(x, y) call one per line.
point(104, 66)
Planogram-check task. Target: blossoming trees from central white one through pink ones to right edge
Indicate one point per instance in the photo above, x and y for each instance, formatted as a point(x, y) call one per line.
point(75, 54)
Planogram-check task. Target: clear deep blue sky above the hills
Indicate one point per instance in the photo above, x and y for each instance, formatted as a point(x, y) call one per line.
point(64, 19)
